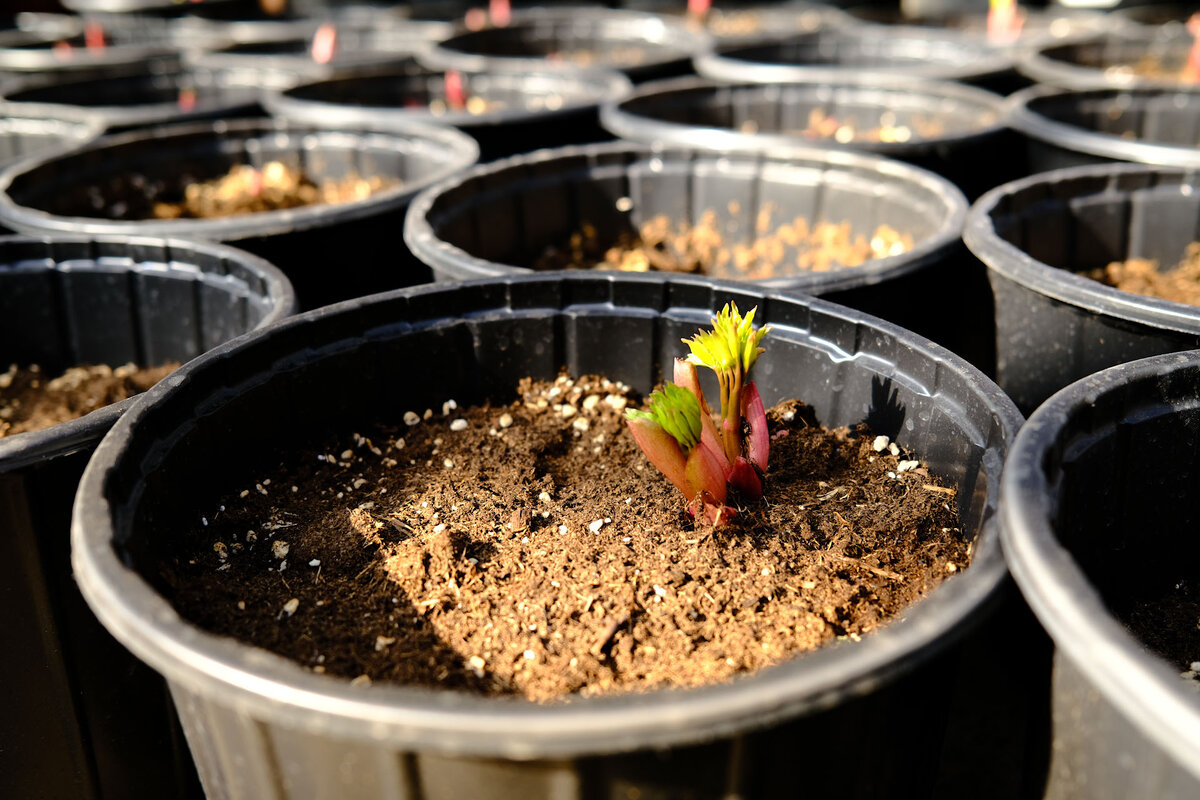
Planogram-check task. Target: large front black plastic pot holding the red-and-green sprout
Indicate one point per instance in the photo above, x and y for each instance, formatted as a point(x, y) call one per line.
point(261, 725)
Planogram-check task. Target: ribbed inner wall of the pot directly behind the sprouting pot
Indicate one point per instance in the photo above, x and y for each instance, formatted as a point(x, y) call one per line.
point(514, 215)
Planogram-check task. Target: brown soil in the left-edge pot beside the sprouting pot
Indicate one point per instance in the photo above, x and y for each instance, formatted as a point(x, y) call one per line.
point(29, 401)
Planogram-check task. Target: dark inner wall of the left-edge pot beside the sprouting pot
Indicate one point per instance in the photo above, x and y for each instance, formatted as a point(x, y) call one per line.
point(115, 304)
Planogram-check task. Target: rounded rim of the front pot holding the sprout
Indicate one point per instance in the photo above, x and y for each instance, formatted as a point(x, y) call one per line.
point(265, 684)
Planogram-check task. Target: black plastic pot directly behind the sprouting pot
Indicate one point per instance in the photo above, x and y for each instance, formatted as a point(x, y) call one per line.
point(496, 220)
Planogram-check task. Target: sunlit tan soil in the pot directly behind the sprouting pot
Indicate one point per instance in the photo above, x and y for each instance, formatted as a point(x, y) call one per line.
point(788, 249)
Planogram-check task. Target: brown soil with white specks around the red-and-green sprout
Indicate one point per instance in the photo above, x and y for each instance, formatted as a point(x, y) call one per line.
point(532, 550)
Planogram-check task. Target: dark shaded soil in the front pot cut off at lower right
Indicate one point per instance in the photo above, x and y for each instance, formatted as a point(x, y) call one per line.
point(1169, 624)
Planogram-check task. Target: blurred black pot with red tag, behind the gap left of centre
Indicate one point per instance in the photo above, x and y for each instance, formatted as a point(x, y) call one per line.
point(524, 111)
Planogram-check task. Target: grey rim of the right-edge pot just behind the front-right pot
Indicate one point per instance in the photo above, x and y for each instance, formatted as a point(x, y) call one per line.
point(1063, 285)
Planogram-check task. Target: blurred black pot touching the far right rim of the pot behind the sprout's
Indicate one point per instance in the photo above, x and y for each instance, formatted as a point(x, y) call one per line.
point(971, 147)
